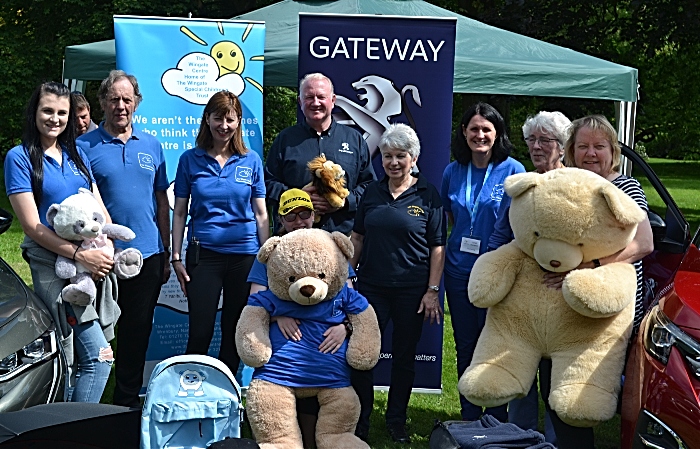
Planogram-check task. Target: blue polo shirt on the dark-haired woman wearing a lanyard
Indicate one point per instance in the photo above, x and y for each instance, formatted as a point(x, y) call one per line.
point(458, 263)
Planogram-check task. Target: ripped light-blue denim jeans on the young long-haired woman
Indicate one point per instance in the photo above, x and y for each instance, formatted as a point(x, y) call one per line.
point(93, 364)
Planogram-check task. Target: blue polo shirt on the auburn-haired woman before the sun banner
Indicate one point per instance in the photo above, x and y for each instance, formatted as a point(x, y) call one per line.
point(221, 211)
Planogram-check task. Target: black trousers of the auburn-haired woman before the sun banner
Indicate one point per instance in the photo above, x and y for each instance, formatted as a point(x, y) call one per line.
point(214, 272)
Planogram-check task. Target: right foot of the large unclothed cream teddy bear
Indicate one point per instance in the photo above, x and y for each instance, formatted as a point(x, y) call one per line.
point(583, 405)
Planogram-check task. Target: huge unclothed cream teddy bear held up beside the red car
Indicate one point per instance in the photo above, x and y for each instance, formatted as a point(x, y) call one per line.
point(560, 219)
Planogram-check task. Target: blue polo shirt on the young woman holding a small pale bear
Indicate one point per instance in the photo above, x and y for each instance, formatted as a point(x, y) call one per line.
point(60, 180)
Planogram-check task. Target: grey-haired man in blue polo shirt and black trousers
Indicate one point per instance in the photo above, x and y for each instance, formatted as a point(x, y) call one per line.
point(129, 167)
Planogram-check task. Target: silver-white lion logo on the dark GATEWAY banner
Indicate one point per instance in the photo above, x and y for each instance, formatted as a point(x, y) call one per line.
point(384, 101)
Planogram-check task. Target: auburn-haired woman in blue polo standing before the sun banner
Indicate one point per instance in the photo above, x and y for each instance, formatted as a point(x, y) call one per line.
point(228, 219)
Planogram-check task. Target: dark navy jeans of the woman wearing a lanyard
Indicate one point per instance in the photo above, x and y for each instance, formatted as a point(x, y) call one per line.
point(467, 323)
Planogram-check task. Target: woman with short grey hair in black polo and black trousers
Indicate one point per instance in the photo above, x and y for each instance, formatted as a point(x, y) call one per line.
point(399, 240)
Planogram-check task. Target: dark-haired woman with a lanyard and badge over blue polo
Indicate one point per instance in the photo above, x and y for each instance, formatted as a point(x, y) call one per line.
point(472, 190)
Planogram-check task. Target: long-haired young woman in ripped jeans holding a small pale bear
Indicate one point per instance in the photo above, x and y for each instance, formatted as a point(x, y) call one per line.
point(43, 170)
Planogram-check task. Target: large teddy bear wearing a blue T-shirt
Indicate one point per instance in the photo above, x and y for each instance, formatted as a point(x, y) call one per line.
point(307, 271)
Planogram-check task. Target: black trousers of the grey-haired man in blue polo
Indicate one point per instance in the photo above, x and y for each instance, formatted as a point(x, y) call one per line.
point(137, 300)
